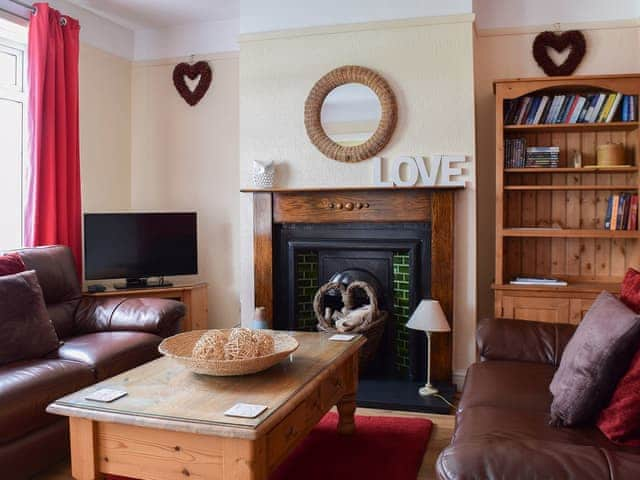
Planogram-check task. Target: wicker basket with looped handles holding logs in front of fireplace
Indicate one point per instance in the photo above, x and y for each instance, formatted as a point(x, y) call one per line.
point(367, 320)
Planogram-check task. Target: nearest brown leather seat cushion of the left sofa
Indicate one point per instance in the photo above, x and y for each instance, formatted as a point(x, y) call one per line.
point(27, 387)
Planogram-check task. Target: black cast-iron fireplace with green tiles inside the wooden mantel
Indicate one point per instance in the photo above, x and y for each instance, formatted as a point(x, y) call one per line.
point(393, 257)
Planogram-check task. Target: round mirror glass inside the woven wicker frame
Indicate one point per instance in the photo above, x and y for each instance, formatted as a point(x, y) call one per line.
point(350, 114)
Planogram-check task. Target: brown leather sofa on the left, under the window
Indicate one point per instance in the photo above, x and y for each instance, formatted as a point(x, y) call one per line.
point(100, 338)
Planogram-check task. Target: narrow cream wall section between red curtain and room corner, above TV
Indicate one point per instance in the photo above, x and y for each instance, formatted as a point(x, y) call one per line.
point(105, 130)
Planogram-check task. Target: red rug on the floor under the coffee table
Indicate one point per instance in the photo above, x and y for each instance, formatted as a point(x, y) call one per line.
point(382, 448)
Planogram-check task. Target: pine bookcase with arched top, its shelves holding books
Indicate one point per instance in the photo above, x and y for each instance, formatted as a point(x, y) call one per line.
point(550, 221)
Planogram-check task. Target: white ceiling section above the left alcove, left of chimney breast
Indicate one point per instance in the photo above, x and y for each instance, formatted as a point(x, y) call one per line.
point(154, 14)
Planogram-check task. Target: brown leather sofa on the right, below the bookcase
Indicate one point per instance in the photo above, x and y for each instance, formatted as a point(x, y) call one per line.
point(502, 423)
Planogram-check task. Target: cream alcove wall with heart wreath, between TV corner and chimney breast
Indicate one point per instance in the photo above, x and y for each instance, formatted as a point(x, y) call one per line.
point(186, 158)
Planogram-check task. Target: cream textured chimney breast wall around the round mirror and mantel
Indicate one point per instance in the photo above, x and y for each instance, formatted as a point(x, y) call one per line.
point(429, 65)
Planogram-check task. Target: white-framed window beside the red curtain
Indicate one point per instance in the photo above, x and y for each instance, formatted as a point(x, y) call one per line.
point(13, 139)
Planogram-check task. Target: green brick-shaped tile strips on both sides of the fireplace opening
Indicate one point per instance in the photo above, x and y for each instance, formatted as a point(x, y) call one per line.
point(306, 267)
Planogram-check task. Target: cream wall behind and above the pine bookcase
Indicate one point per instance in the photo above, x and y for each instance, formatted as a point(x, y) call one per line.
point(611, 48)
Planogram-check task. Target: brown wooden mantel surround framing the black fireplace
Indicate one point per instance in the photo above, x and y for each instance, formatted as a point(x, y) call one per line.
point(361, 204)
